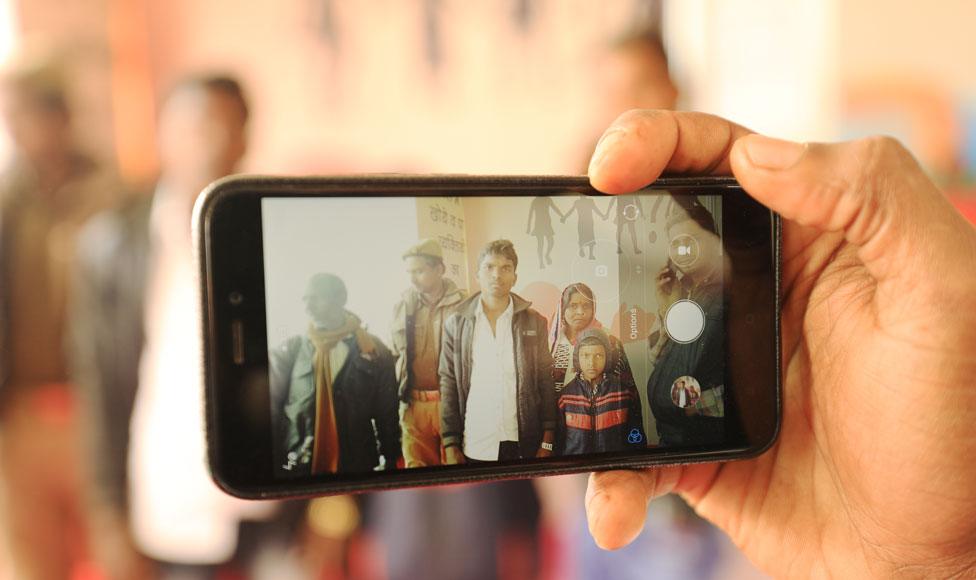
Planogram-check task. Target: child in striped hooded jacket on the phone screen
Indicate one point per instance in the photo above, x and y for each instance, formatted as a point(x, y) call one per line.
point(598, 412)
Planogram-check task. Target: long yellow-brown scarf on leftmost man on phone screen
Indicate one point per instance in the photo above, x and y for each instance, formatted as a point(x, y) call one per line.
point(325, 452)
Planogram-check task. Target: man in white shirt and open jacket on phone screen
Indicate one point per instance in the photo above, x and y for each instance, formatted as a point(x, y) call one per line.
point(498, 401)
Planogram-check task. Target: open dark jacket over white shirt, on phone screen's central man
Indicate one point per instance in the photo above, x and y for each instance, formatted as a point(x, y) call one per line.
point(533, 370)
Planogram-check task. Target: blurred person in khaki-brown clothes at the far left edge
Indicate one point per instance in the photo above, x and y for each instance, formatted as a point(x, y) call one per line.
point(47, 192)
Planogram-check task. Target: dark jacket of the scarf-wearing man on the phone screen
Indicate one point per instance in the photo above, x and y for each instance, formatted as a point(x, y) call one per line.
point(364, 392)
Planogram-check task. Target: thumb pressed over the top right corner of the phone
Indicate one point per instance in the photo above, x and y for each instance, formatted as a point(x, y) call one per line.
point(871, 189)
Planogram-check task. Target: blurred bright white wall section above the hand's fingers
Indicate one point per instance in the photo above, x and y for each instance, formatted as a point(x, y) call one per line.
point(771, 65)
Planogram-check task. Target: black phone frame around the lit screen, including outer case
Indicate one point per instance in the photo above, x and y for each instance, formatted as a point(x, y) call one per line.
point(228, 233)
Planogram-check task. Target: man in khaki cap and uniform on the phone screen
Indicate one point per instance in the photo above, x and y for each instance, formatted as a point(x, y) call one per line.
point(417, 323)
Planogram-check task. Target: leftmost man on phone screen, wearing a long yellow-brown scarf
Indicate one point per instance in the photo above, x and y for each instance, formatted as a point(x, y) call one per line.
point(328, 387)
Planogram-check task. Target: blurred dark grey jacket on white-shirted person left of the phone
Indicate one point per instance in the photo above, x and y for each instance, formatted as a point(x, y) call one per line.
point(107, 337)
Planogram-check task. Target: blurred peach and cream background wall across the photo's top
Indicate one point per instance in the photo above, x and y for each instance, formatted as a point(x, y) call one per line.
point(441, 85)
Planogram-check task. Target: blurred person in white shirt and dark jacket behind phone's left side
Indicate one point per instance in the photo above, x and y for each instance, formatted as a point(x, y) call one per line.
point(137, 355)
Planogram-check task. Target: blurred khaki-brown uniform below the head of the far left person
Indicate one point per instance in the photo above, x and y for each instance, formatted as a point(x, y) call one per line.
point(39, 444)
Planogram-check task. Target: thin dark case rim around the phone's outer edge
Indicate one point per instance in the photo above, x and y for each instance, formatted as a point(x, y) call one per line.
point(434, 185)
